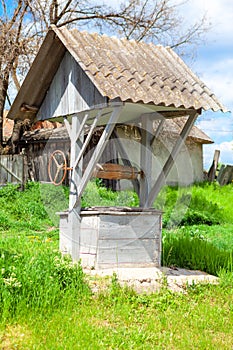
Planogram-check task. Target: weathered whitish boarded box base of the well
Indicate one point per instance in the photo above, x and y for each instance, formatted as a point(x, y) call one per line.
point(115, 237)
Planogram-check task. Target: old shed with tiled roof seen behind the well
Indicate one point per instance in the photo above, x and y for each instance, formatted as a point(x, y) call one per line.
point(40, 143)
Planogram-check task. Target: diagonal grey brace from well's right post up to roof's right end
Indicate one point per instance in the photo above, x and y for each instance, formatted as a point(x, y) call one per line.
point(170, 161)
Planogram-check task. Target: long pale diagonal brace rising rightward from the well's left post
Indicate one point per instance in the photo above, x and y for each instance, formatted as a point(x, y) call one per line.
point(98, 152)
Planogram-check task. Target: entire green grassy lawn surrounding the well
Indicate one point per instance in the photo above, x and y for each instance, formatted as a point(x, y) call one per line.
point(46, 301)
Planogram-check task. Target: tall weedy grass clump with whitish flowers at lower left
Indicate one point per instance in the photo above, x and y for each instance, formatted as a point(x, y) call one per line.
point(34, 276)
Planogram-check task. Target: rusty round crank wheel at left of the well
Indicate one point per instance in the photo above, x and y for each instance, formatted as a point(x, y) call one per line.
point(57, 161)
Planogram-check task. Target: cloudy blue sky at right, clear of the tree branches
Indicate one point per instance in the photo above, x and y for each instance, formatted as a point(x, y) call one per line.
point(214, 66)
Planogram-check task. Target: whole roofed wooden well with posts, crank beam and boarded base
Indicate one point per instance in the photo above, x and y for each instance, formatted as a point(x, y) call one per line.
point(88, 80)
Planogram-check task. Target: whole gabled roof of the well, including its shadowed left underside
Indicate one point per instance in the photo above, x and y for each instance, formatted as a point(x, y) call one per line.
point(120, 69)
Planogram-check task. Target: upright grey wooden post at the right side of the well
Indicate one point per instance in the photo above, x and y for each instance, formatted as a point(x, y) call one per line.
point(146, 159)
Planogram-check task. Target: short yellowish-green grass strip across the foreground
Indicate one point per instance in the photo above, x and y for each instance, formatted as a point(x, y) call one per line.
point(121, 319)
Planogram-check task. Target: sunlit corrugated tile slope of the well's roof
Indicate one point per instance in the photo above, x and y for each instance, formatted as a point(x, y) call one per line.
point(138, 72)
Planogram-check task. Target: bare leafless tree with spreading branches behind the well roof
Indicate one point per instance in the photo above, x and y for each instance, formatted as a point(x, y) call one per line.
point(24, 23)
